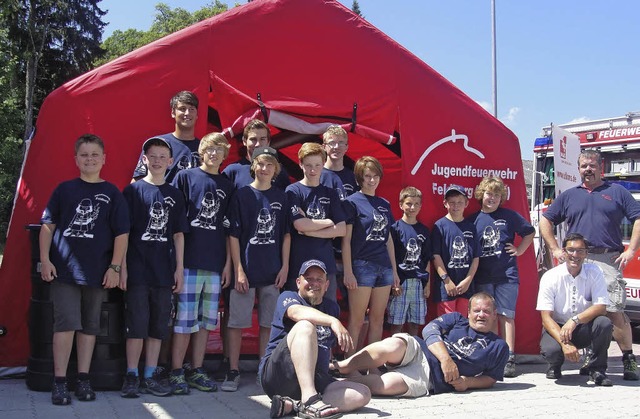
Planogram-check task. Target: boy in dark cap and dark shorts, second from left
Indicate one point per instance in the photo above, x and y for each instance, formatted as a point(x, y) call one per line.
point(154, 266)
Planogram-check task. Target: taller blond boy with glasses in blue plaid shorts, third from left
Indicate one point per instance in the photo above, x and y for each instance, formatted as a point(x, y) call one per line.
point(206, 260)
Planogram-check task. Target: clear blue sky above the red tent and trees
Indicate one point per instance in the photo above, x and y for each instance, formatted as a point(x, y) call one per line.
point(558, 61)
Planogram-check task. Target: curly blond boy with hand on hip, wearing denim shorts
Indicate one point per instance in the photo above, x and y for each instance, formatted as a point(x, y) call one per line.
point(497, 273)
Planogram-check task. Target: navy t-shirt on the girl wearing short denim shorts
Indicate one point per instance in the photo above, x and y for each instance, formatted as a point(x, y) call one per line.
point(371, 219)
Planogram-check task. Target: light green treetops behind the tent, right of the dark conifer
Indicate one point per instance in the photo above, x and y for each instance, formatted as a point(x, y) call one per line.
point(165, 22)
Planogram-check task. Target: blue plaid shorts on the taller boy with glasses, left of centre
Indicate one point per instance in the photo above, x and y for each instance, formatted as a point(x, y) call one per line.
point(198, 302)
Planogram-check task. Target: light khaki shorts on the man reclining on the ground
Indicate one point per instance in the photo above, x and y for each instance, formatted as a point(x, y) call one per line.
point(414, 368)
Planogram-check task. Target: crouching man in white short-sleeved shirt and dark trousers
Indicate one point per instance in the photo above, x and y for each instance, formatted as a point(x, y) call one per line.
point(572, 301)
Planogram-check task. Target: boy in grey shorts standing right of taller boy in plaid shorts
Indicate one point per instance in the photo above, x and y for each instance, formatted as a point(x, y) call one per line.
point(259, 243)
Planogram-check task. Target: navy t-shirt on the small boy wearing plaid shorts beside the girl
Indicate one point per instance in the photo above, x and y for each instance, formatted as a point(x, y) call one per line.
point(413, 250)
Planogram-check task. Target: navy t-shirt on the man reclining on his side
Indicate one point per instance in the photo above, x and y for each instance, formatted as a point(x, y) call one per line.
point(474, 353)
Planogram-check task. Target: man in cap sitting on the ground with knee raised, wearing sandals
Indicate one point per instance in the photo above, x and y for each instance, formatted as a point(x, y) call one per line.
point(296, 362)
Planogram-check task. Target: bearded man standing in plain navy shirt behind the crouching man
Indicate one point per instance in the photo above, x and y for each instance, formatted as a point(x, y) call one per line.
point(595, 209)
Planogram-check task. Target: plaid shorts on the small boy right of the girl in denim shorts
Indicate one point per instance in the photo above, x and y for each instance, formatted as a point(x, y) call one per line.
point(410, 306)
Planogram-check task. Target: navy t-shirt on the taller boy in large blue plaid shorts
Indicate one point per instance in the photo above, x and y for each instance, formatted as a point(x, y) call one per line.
point(207, 197)
